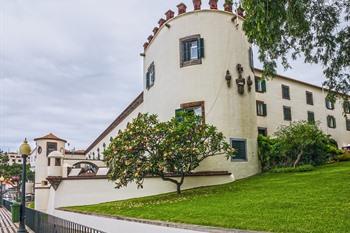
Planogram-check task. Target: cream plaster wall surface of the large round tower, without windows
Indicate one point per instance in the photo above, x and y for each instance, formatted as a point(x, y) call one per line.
point(225, 47)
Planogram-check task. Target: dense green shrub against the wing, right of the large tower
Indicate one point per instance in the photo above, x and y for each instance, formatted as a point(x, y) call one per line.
point(297, 144)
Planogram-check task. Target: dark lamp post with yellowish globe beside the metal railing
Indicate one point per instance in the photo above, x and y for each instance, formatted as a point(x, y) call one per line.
point(24, 150)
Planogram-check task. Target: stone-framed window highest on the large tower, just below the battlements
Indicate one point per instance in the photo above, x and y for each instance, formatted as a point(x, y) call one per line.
point(191, 50)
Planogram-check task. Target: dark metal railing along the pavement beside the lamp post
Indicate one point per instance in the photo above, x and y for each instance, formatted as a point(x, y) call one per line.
point(40, 222)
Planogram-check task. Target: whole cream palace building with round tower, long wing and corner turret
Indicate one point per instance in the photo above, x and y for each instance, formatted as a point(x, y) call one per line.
point(199, 60)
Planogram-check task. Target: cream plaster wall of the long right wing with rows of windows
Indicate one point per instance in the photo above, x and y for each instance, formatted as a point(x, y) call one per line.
point(297, 102)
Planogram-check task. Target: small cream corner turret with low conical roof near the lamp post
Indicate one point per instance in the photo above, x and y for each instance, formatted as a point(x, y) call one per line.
point(45, 145)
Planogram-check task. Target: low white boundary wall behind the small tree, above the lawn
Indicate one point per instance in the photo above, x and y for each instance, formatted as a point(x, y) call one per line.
point(93, 191)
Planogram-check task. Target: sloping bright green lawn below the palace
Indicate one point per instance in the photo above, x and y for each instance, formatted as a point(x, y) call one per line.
point(316, 201)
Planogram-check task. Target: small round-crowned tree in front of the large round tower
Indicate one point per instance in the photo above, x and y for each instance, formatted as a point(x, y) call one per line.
point(169, 149)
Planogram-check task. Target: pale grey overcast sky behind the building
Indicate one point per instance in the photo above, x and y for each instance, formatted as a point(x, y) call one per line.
point(71, 66)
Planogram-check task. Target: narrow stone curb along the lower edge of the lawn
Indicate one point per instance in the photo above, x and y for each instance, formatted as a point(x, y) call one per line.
point(168, 224)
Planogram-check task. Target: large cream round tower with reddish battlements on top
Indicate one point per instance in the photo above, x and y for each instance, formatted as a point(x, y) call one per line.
point(202, 61)
